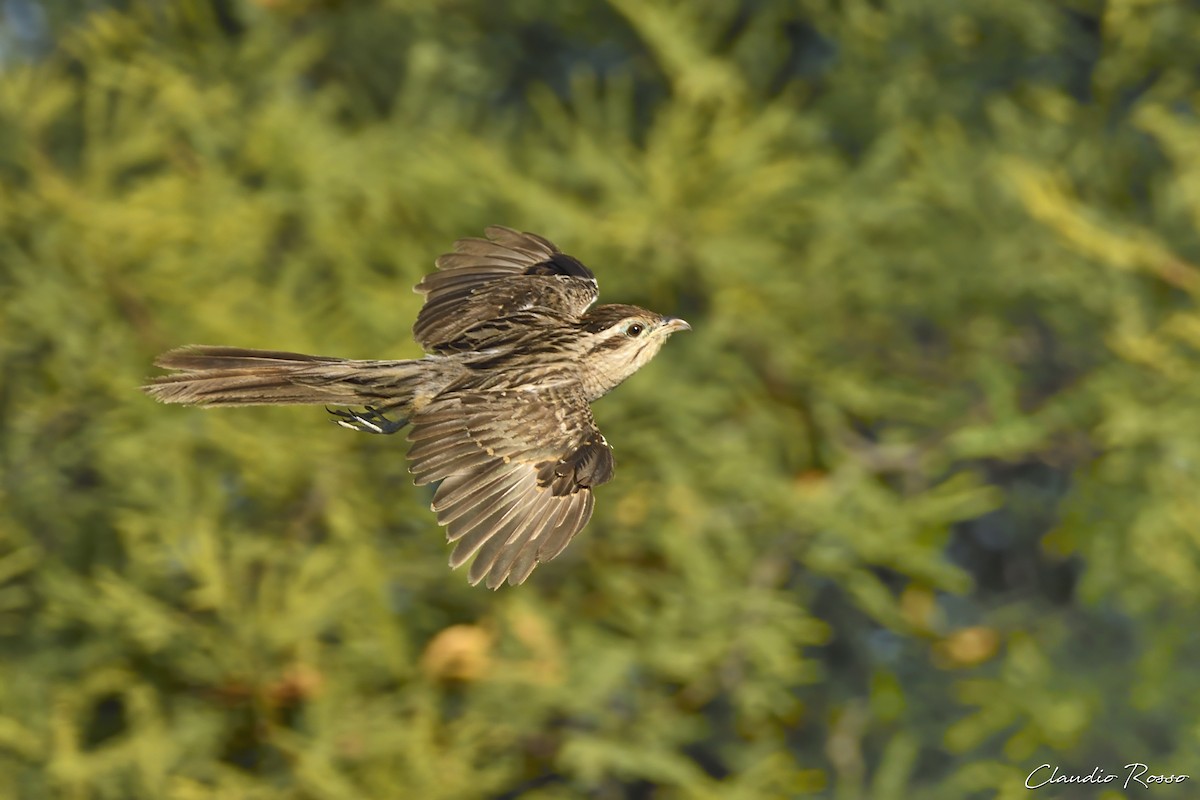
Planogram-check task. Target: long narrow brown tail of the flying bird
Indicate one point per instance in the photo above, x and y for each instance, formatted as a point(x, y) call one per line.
point(223, 376)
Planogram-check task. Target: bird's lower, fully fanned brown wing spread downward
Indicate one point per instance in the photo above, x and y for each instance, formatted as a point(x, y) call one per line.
point(518, 467)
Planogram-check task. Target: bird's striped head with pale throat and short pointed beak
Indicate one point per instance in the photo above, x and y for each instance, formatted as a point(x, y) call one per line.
point(620, 341)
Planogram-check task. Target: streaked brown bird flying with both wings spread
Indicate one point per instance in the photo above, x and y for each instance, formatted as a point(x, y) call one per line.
point(499, 411)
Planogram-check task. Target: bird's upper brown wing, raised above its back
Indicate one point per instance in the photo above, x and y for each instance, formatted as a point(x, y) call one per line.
point(488, 279)
